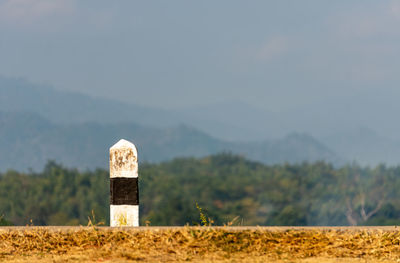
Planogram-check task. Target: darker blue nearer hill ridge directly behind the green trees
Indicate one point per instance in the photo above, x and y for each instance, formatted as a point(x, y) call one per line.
point(28, 141)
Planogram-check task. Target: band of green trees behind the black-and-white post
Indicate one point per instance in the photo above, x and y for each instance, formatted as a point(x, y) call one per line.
point(224, 186)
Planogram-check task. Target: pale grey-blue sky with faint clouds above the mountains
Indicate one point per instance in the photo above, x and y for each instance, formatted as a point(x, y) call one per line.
point(275, 55)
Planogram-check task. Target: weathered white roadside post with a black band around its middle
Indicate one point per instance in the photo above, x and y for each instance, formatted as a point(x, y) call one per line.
point(124, 191)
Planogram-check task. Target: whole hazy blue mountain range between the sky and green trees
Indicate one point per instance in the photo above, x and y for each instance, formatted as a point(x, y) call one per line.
point(38, 123)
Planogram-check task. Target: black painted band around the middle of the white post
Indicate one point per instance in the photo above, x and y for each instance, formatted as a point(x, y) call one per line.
point(124, 191)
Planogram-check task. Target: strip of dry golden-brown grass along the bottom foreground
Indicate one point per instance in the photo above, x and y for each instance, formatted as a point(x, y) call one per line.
point(200, 244)
